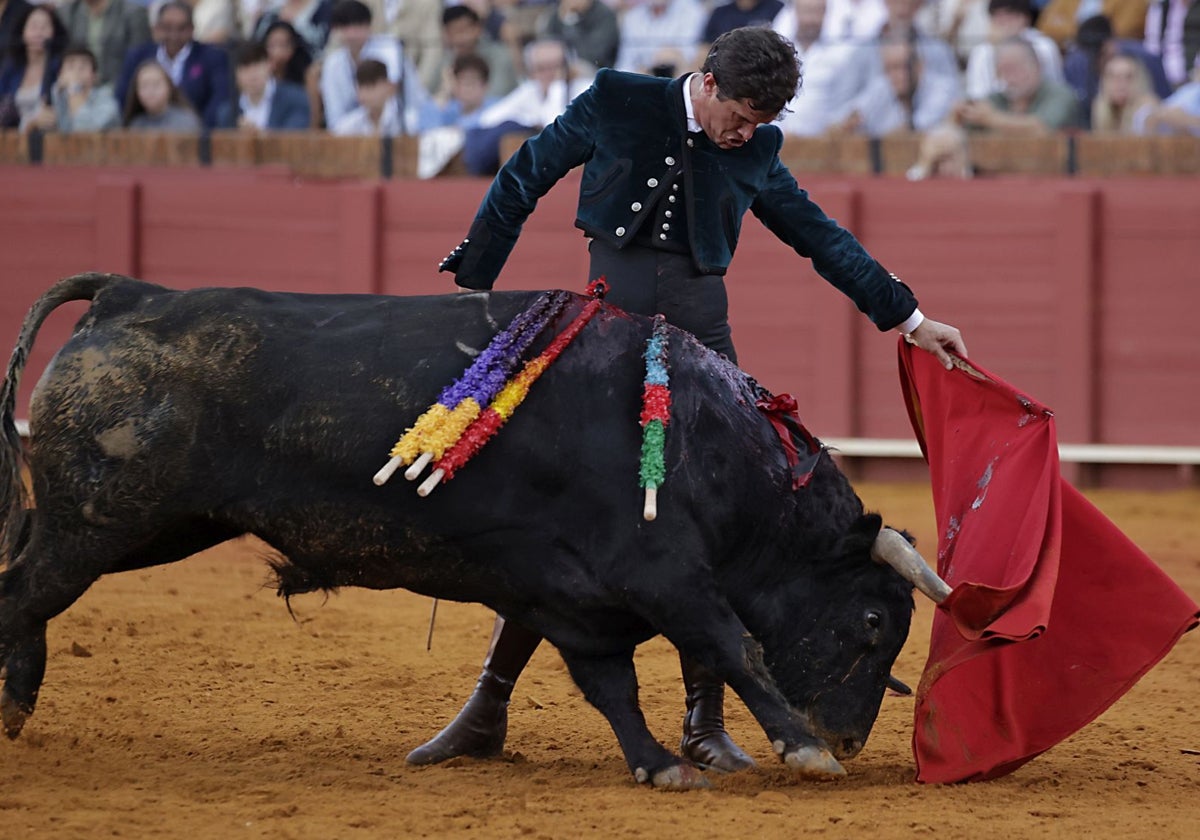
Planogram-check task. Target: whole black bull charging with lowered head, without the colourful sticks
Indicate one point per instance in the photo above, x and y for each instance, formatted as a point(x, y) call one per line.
point(172, 422)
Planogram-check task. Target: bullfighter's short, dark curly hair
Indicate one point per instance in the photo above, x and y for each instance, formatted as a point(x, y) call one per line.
point(758, 65)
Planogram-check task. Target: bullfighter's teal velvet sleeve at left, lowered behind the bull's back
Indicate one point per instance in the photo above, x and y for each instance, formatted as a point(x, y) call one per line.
point(539, 165)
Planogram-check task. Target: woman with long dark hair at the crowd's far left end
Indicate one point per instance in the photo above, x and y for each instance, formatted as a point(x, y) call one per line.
point(31, 68)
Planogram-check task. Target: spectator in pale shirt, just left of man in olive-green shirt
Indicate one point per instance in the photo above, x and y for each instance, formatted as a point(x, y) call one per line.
point(905, 98)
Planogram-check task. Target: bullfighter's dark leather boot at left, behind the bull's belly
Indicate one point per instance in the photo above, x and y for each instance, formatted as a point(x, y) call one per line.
point(481, 728)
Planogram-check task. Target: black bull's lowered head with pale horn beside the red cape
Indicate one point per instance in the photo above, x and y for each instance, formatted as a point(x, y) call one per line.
point(844, 626)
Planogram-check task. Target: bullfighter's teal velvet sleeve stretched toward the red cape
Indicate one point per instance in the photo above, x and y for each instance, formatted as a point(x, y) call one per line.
point(790, 214)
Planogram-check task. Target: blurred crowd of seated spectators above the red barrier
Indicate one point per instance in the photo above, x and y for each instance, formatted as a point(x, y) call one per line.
point(465, 74)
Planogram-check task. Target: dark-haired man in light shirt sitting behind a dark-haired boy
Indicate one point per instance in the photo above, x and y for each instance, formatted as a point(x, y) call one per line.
point(351, 28)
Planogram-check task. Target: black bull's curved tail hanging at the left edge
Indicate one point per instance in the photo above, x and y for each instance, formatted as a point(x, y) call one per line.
point(14, 494)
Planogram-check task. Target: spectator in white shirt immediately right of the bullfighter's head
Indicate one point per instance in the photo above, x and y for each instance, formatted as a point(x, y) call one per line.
point(835, 74)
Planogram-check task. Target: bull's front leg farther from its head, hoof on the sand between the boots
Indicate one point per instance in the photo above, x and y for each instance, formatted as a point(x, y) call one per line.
point(610, 683)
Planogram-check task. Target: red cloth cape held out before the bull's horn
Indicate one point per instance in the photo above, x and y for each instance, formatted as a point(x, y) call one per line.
point(1055, 614)
